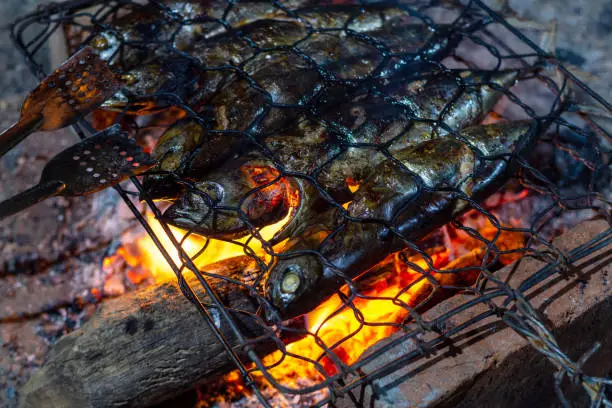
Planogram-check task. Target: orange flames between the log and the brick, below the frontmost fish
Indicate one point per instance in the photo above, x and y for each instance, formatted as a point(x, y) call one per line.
point(382, 307)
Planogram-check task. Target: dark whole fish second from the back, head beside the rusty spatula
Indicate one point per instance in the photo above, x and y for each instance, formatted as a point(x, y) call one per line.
point(273, 53)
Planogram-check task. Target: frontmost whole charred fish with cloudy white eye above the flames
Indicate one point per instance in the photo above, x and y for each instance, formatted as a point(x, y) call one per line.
point(412, 201)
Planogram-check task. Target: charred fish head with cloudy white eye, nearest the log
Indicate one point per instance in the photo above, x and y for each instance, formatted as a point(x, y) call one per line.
point(292, 286)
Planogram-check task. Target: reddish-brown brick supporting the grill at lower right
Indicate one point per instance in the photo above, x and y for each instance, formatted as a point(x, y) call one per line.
point(490, 364)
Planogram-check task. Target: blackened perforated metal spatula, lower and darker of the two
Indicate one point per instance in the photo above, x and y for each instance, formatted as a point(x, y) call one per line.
point(99, 162)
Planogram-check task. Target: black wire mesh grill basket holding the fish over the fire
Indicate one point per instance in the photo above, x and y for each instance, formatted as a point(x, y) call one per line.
point(428, 144)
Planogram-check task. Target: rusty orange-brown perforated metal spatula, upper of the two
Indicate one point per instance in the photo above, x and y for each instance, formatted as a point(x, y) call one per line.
point(76, 88)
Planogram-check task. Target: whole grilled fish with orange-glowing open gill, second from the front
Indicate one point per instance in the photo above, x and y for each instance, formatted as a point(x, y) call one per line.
point(366, 123)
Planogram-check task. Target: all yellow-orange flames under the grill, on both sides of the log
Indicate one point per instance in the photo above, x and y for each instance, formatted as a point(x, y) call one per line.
point(379, 310)
